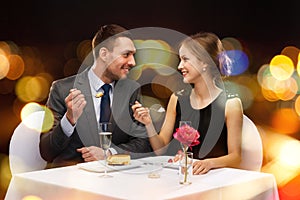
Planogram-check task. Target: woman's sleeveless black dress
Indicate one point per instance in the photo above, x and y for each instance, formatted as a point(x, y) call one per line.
point(209, 121)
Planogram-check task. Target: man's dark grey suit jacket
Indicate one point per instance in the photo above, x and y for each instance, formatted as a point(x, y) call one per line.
point(128, 135)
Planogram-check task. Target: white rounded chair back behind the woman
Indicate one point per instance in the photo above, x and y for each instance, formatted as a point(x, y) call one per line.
point(252, 151)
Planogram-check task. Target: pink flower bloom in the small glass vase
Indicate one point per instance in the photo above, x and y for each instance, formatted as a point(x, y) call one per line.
point(187, 135)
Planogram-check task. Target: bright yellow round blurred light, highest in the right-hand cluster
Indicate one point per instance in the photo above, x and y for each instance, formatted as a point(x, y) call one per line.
point(281, 67)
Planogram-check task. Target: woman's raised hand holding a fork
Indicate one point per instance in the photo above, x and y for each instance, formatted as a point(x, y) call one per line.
point(141, 113)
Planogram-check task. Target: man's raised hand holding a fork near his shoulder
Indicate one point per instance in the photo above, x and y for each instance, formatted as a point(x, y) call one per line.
point(75, 103)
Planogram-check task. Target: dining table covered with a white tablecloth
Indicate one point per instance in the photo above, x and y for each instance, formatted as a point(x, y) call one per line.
point(147, 178)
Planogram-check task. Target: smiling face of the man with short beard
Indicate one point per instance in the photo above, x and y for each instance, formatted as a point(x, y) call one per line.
point(120, 59)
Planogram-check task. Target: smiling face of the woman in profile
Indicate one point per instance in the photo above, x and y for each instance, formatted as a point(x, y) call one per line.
point(190, 66)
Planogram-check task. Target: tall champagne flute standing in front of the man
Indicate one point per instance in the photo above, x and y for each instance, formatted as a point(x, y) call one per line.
point(105, 136)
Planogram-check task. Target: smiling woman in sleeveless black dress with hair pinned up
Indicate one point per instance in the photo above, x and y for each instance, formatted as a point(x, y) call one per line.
point(217, 118)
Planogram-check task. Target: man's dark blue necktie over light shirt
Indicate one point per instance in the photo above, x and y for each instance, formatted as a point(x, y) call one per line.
point(105, 104)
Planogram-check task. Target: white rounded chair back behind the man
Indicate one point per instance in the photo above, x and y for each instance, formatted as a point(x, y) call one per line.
point(24, 154)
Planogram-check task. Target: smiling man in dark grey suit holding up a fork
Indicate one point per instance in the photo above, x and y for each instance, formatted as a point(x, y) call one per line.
point(75, 102)
